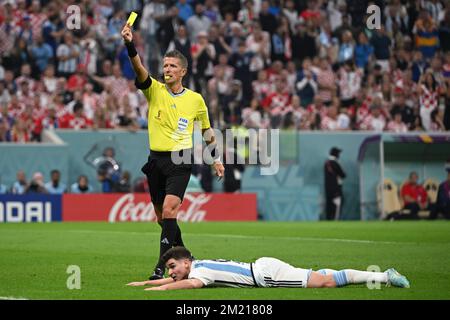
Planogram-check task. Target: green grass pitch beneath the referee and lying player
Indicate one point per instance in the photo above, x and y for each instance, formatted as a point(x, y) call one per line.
point(34, 257)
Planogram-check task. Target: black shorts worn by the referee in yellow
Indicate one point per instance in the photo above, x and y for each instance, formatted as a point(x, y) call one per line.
point(165, 177)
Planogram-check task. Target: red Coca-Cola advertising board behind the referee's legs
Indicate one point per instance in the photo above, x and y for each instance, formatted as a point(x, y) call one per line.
point(119, 207)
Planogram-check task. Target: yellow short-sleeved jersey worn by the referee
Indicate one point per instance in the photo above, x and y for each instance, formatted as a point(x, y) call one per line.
point(171, 116)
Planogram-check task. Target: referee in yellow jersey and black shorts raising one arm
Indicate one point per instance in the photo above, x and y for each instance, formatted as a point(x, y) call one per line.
point(171, 115)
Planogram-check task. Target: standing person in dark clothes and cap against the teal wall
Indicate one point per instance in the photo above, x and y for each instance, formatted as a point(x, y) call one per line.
point(334, 175)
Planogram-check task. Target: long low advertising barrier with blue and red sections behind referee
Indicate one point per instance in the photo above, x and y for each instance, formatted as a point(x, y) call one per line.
point(124, 207)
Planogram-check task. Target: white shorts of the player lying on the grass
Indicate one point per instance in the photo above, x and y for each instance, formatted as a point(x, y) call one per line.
point(271, 272)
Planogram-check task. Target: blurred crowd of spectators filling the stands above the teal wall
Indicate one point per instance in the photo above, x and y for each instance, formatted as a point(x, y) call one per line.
point(299, 65)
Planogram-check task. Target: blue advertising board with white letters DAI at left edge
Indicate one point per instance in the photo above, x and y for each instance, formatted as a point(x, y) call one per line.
point(30, 208)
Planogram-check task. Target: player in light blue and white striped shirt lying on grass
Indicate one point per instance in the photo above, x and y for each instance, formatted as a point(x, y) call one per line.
point(187, 273)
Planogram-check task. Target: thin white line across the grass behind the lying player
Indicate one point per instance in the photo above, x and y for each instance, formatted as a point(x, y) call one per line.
point(236, 236)
